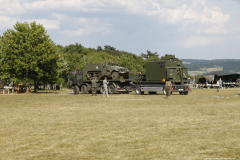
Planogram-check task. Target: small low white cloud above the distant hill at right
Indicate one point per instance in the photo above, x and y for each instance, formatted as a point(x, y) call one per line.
point(198, 41)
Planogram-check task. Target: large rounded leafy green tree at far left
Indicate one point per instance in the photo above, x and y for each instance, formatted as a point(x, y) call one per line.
point(28, 52)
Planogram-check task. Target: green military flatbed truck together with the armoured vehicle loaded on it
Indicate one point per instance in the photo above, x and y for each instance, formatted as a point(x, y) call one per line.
point(80, 80)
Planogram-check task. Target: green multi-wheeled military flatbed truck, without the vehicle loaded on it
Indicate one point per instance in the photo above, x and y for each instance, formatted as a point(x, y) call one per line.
point(80, 81)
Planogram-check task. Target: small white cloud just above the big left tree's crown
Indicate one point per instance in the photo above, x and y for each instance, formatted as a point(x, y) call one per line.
point(47, 24)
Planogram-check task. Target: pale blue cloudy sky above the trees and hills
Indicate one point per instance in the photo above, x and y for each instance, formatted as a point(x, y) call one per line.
point(188, 29)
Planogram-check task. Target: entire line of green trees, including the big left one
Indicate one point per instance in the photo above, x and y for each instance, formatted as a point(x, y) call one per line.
point(27, 52)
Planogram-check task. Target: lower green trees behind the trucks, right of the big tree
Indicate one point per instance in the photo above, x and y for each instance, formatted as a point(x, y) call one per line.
point(77, 56)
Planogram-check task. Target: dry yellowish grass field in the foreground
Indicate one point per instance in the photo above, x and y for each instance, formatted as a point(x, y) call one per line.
point(204, 124)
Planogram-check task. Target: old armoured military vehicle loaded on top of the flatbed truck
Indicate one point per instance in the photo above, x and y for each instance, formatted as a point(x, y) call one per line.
point(110, 70)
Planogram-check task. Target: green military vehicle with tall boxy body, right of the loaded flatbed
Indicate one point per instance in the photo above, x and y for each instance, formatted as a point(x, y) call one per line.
point(156, 75)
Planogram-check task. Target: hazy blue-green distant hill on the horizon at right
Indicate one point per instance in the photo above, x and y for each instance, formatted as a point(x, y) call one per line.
point(226, 64)
